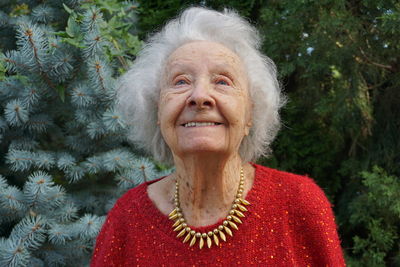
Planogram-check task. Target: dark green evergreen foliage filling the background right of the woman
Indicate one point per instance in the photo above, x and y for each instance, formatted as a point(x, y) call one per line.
point(338, 64)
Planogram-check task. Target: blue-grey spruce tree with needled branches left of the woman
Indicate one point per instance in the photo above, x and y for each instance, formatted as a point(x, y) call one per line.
point(64, 154)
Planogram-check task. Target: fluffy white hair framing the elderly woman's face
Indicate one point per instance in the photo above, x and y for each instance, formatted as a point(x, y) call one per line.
point(139, 88)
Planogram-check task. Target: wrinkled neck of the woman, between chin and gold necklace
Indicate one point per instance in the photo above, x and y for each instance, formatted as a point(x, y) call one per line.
point(207, 187)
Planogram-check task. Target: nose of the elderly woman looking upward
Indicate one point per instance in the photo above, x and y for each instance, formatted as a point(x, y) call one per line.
point(200, 97)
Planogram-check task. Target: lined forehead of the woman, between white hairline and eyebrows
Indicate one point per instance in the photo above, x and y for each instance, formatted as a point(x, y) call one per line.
point(207, 52)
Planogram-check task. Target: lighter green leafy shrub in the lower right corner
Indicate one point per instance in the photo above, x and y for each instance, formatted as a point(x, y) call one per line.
point(376, 212)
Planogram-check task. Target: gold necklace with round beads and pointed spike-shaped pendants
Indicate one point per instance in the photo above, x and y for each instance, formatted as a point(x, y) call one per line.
point(232, 219)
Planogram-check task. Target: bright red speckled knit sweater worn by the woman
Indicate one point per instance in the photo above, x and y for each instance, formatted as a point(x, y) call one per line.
point(289, 223)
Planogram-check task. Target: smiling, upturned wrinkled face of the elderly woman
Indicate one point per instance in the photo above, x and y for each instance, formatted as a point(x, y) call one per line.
point(204, 105)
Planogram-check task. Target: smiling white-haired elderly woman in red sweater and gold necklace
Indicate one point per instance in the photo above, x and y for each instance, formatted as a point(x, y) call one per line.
point(200, 96)
